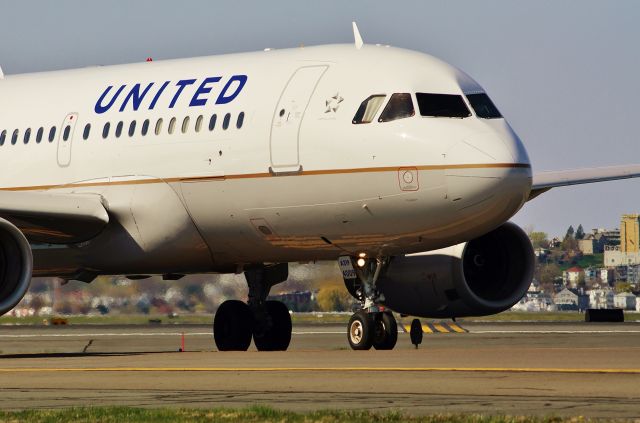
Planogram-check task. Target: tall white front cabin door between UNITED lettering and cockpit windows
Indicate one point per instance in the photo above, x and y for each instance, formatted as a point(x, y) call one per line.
point(287, 118)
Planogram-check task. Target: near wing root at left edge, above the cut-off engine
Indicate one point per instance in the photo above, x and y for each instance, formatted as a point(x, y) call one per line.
point(54, 218)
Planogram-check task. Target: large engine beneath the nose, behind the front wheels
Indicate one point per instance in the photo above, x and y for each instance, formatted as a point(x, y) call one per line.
point(480, 277)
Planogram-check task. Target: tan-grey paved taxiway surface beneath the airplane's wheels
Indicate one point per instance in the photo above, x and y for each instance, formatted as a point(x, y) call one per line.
point(497, 368)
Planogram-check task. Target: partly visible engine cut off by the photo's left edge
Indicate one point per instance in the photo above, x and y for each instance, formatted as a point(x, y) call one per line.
point(16, 266)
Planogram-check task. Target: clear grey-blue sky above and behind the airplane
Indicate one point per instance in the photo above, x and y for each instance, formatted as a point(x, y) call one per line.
point(565, 74)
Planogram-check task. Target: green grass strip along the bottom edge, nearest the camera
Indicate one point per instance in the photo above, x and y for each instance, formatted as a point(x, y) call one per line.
point(250, 414)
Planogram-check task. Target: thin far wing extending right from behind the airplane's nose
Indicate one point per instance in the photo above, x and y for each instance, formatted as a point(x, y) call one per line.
point(544, 181)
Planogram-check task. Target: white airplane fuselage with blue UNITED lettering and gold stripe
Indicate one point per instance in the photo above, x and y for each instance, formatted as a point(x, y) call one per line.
point(297, 181)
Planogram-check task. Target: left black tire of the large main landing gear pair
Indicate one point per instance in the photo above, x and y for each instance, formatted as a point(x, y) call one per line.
point(233, 326)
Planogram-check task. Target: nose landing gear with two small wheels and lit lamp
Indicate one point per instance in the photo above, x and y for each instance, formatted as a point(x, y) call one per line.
point(372, 325)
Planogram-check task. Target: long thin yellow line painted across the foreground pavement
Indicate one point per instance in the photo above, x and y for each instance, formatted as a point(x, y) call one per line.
point(320, 369)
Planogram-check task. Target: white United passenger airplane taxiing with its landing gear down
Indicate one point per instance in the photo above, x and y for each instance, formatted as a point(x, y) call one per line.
point(391, 161)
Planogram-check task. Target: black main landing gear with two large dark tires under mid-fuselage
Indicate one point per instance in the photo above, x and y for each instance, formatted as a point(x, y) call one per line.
point(267, 322)
